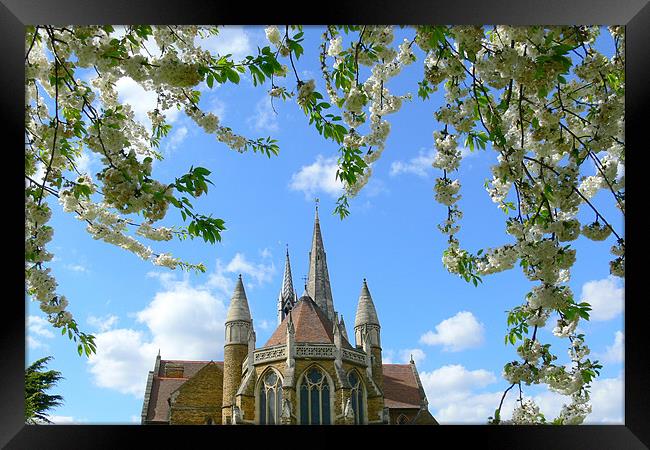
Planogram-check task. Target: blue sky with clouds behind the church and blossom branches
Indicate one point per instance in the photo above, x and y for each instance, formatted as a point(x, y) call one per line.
point(453, 329)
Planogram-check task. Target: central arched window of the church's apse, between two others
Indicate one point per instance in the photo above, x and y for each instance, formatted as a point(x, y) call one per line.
point(314, 394)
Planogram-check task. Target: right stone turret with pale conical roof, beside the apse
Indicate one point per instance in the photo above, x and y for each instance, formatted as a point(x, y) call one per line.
point(367, 332)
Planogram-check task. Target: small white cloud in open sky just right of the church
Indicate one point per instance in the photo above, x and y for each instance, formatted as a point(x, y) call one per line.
point(457, 333)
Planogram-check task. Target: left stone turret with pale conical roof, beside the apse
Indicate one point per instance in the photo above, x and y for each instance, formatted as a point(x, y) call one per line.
point(239, 326)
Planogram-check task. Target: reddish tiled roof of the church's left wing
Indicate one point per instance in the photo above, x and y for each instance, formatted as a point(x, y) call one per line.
point(162, 387)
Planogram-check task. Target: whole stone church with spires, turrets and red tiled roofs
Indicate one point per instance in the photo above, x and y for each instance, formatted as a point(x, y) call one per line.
point(307, 373)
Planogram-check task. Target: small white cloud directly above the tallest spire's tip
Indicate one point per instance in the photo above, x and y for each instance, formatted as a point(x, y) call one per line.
point(317, 177)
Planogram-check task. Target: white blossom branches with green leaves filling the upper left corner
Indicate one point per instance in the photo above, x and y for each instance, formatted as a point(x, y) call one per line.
point(169, 62)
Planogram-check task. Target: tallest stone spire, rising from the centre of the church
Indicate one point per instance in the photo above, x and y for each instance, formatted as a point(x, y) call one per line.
point(318, 280)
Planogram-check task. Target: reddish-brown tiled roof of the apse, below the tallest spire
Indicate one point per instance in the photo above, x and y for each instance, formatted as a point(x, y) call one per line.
point(311, 325)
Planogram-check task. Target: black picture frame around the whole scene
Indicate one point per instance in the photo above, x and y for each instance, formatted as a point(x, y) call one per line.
point(635, 14)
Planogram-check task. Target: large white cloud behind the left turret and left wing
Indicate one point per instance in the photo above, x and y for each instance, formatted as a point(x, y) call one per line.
point(183, 321)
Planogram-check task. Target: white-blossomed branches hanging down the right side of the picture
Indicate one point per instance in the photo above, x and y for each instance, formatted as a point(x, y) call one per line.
point(543, 123)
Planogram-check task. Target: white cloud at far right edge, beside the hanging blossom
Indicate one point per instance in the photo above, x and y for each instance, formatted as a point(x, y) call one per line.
point(606, 297)
